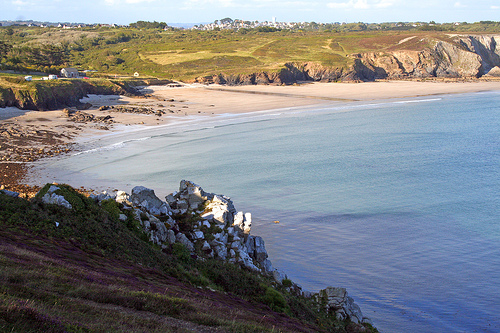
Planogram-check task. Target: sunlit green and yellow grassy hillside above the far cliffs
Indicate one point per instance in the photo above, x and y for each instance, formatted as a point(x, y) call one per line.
point(187, 54)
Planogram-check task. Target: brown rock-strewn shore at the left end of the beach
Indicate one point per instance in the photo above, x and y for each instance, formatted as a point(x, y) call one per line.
point(29, 141)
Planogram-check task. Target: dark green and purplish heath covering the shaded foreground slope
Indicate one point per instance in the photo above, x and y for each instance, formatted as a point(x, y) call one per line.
point(84, 270)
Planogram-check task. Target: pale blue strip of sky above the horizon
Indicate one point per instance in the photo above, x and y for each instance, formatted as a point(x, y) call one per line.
point(204, 11)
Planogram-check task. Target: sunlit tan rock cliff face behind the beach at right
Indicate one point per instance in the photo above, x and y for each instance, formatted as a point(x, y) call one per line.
point(468, 57)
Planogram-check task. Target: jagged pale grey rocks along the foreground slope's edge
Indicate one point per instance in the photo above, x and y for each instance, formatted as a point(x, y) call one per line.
point(208, 225)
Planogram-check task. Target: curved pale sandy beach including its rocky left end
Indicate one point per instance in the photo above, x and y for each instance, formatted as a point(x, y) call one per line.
point(36, 135)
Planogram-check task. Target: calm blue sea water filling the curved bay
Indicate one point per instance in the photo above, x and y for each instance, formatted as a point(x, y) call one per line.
point(398, 201)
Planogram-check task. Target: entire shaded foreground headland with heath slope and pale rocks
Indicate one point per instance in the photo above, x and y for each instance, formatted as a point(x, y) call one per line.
point(136, 263)
